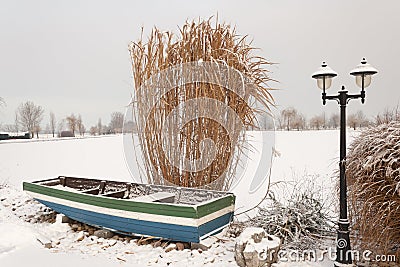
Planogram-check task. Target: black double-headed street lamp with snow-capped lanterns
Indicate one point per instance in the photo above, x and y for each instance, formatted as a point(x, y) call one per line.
point(324, 75)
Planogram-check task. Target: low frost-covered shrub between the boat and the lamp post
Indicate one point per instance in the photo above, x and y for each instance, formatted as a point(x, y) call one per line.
point(300, 217)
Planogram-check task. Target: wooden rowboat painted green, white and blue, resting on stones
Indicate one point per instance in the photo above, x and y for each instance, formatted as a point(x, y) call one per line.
point(174, 213)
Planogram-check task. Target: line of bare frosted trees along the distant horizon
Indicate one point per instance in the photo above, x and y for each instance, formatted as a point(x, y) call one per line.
point(28, 118)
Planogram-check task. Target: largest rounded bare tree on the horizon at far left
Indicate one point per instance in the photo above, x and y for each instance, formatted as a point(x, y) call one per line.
point(30, 116)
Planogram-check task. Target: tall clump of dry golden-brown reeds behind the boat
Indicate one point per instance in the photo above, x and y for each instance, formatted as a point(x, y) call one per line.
point(201, 41)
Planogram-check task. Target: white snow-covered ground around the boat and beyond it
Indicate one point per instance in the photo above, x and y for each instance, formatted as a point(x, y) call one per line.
point(311, 153)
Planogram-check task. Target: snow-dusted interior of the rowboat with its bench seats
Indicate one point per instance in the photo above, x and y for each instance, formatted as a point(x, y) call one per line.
point(133, 191)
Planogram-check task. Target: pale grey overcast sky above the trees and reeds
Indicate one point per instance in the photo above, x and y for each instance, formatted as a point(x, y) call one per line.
point(72, 56)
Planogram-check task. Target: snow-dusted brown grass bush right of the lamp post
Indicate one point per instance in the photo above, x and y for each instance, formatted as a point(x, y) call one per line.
point(373, 175)
